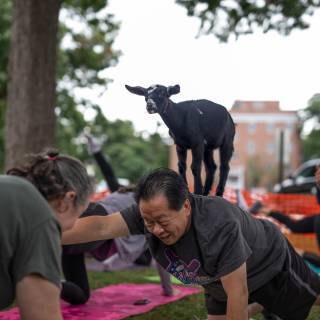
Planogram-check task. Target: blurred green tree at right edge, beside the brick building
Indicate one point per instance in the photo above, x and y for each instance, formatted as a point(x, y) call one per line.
point(311, 116)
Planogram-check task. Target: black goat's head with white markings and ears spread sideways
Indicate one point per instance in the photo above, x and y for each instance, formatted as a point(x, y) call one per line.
point(156, 96)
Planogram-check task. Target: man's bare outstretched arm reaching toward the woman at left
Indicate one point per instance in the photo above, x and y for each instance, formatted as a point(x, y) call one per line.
point(95, 228)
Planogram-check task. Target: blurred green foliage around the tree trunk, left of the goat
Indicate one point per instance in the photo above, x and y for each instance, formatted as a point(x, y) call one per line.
point(86, 36)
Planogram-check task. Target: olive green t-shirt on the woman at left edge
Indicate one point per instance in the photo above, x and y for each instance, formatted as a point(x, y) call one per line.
point(29, 237)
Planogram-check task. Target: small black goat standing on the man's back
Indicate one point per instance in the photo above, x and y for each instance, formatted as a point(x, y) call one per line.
point(199, 125)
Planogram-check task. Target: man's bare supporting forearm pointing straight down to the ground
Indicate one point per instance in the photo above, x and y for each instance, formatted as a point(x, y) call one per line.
point(235, 285)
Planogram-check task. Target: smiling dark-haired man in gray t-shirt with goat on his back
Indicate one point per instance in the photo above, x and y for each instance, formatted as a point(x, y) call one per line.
point(243, 263)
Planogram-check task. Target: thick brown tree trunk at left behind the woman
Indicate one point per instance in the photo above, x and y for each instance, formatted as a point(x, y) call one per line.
point(30, 118)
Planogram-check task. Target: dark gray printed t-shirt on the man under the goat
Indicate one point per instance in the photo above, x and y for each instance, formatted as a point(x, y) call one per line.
point(221, 238)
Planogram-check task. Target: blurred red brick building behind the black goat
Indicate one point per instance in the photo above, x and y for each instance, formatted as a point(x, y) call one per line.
point(256, 157)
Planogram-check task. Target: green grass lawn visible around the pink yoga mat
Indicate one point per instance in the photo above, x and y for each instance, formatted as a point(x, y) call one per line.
point(189, 308)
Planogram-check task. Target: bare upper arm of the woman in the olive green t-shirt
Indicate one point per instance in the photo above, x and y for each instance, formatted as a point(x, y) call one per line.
point(38, 299)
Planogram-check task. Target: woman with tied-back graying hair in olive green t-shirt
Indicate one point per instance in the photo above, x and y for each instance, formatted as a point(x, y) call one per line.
point(38, 200)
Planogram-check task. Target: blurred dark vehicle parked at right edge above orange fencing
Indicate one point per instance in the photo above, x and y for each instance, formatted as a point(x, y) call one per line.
point(300, 181)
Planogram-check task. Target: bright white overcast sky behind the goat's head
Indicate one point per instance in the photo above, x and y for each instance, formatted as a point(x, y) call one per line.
point(159, 46)
